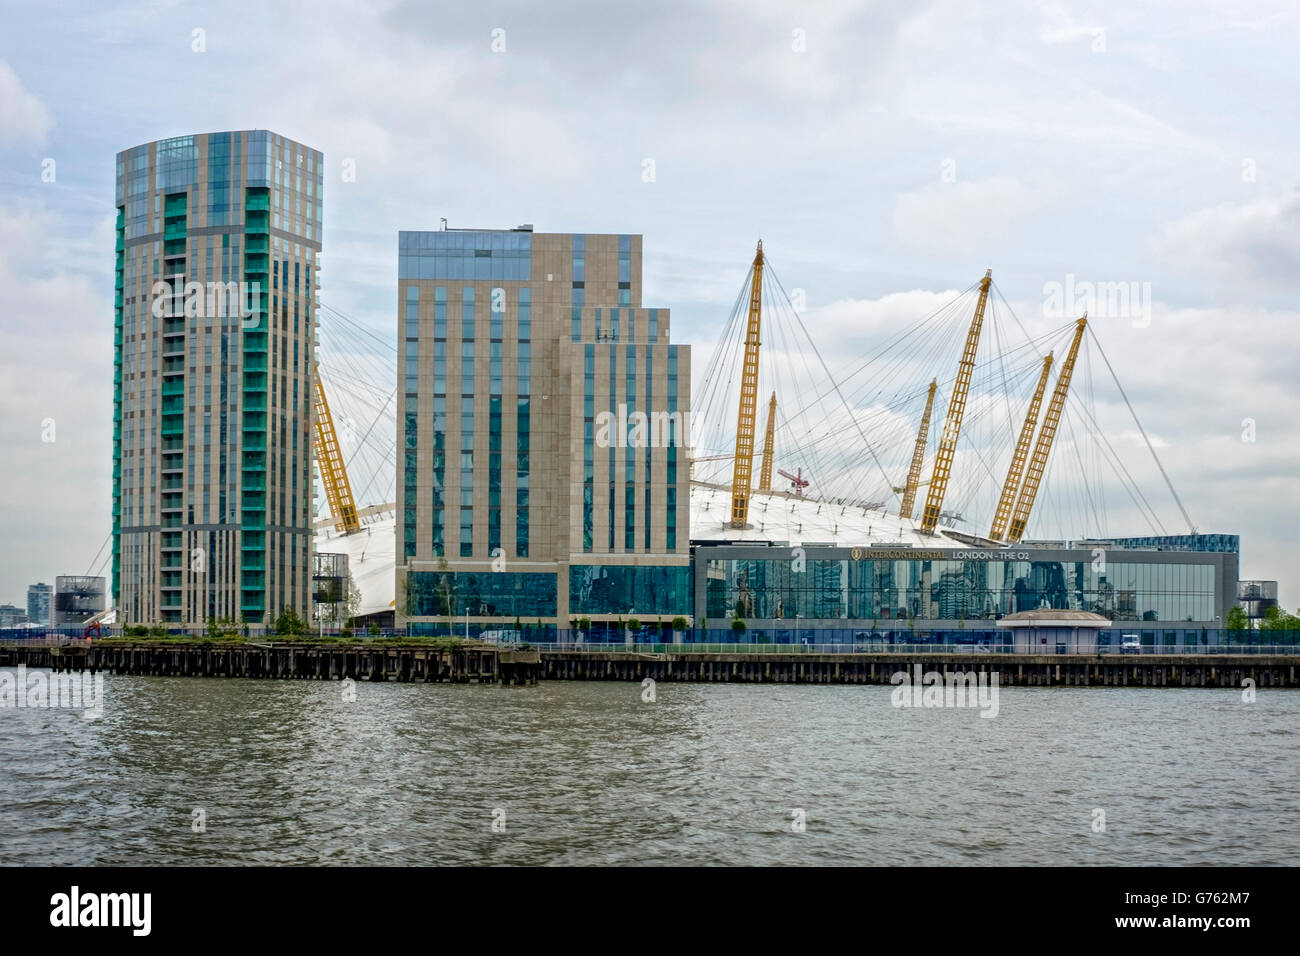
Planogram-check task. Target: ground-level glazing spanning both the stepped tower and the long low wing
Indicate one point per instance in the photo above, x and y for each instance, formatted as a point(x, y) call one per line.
point(837, 595)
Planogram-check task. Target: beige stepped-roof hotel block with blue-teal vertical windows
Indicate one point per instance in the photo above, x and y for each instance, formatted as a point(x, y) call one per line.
point(544, 471)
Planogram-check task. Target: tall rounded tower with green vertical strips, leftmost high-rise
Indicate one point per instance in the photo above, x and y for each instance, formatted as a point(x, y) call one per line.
point(218, 245)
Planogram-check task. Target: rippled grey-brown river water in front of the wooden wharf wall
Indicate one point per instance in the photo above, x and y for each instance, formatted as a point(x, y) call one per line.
point(591, 773)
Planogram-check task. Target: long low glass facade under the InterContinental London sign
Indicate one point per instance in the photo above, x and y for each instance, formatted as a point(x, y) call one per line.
point(889, 590)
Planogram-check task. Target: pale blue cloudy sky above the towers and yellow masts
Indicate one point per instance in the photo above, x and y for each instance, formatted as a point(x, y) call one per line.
point(886, 153)
